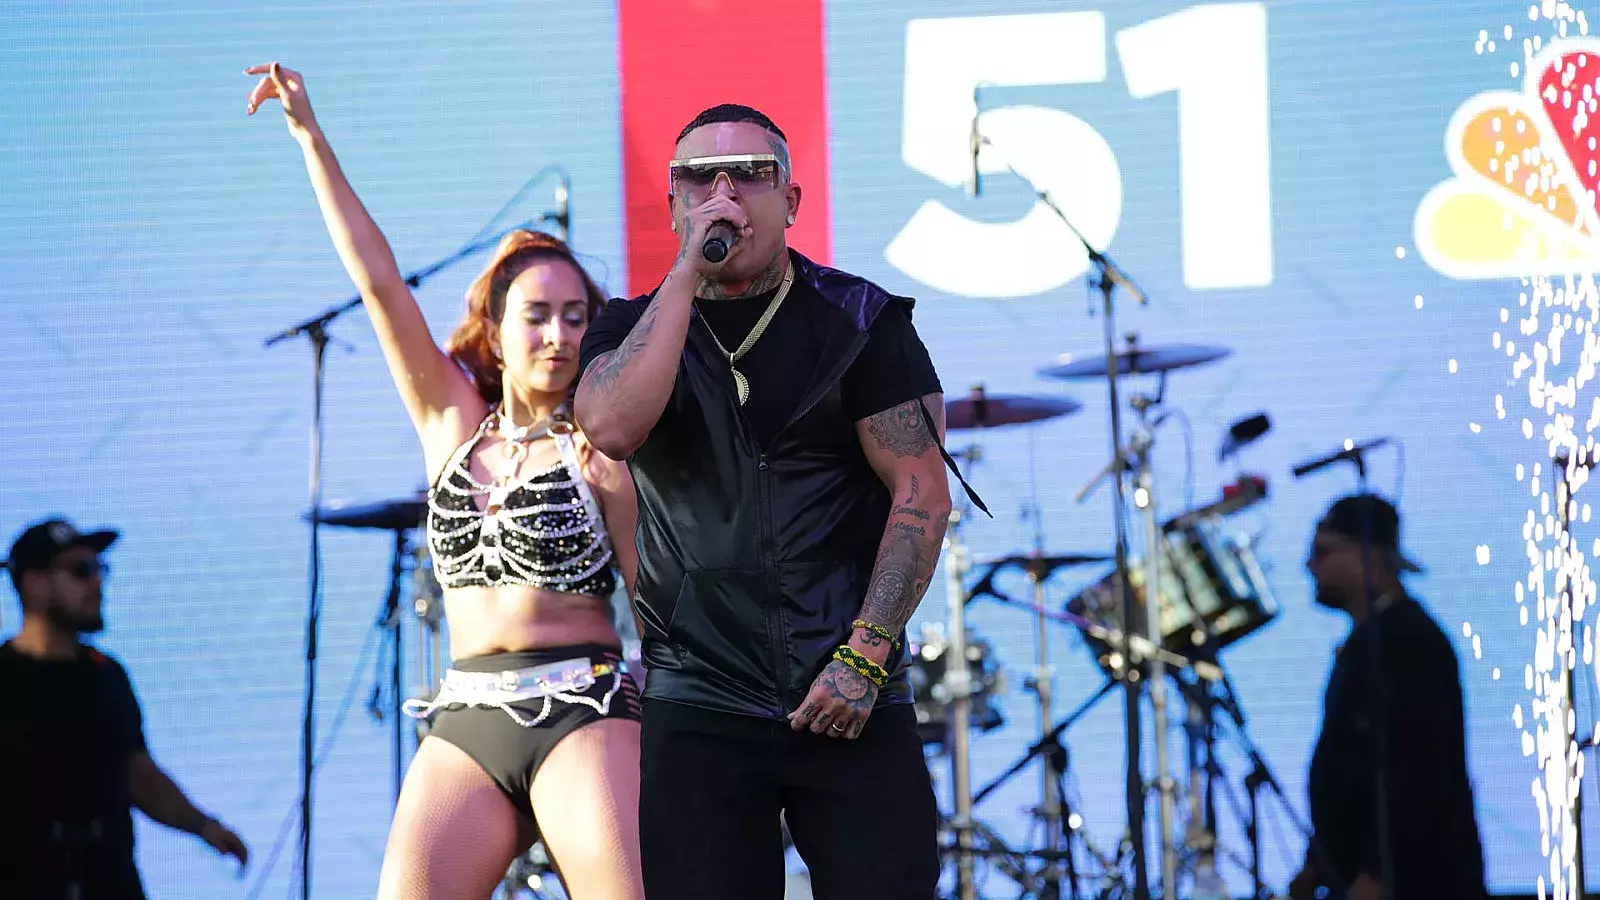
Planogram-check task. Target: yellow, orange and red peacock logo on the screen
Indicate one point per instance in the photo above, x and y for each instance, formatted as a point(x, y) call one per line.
point(1524, 199)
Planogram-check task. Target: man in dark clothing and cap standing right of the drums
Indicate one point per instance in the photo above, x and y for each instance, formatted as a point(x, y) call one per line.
point(1433, 829)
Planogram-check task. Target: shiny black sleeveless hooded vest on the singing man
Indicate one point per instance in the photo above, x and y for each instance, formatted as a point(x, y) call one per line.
point(753, 561)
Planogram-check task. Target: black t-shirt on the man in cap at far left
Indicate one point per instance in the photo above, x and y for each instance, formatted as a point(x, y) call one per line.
point(68, 734)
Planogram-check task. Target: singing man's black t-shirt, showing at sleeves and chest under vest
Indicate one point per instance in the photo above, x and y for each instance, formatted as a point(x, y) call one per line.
point(892, 369)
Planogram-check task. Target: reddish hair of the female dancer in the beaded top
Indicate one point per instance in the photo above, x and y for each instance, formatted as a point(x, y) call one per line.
point(471, 345)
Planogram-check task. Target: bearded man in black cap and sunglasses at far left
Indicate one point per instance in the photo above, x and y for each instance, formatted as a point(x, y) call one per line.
point(73, 755)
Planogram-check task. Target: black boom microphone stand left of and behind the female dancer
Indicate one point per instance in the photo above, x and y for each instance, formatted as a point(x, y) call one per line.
point(316, 332)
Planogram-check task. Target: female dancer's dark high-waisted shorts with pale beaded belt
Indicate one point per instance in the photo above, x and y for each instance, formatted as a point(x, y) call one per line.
point(511, 753)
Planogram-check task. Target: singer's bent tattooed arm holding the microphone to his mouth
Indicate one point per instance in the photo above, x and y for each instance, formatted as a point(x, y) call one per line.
point(623, 393)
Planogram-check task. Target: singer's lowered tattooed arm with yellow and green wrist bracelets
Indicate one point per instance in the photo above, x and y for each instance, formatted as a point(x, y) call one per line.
point(906, 457)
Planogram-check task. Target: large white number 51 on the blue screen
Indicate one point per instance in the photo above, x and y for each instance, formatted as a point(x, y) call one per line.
point(1214, 57)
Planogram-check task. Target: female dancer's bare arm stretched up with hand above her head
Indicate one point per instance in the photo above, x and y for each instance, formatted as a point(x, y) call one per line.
point(428, 380)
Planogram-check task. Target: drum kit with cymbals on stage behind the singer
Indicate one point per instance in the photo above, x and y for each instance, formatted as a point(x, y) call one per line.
point(1212, 592)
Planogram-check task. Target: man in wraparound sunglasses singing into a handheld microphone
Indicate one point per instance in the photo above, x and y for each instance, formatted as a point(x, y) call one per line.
point(785, 428)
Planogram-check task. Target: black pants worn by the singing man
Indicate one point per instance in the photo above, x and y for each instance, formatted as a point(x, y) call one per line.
point(862, 813)
